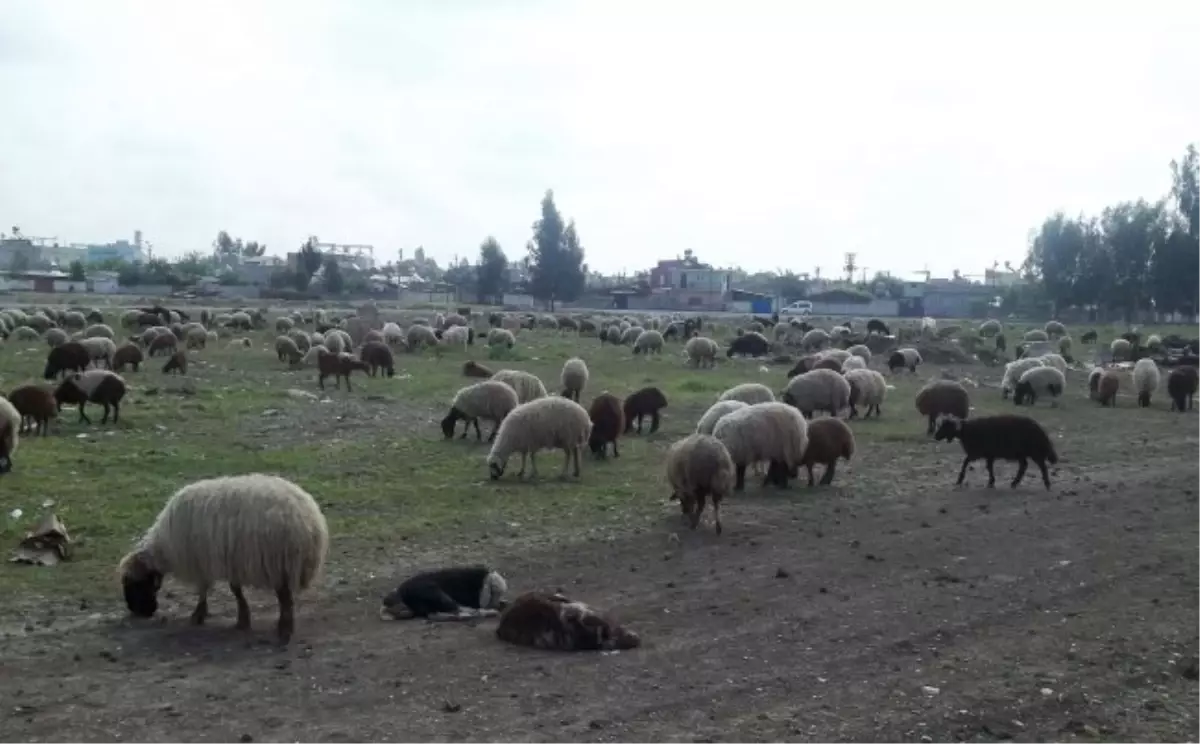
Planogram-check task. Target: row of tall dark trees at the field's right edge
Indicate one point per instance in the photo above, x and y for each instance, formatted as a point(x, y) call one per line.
point(1135, 256)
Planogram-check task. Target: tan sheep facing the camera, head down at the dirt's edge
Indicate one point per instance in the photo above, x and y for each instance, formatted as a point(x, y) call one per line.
point(699, 470)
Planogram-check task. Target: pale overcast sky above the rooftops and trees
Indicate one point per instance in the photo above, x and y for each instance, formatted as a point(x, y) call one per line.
point(769, 135)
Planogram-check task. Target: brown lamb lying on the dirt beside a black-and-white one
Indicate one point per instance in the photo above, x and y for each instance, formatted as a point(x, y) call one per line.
point(554, 622)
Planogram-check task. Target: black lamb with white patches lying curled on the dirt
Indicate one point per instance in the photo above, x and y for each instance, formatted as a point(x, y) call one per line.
point(458, 593)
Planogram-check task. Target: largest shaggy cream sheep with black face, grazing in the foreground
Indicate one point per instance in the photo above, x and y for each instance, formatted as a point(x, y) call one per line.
point(253, 531)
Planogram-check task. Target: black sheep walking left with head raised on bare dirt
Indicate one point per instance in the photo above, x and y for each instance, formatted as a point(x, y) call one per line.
point(1003, 437)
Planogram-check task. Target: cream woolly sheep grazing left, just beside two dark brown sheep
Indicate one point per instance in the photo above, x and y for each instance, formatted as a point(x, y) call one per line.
point(547, 423)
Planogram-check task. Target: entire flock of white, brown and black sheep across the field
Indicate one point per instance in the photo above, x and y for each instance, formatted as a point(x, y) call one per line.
point(266, 532)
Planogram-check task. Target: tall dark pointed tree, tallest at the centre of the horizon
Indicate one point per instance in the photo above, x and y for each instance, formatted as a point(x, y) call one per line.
point(557, 269)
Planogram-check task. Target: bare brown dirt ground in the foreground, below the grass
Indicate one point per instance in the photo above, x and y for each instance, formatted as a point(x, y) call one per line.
point(901, 611)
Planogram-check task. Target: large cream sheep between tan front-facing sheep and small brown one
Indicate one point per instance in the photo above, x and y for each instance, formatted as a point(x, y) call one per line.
point(773, 433)
